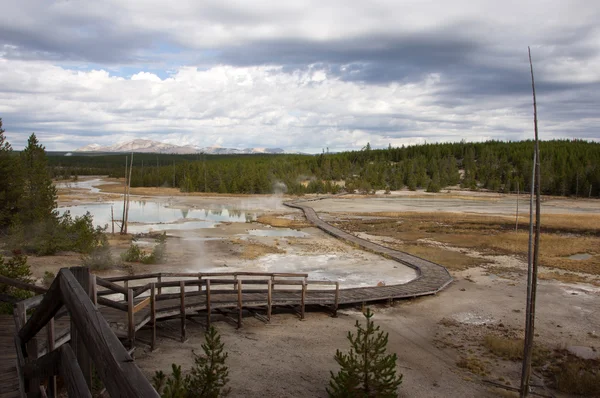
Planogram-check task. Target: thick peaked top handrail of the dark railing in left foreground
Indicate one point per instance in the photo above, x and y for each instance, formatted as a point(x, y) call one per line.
point(113, 364)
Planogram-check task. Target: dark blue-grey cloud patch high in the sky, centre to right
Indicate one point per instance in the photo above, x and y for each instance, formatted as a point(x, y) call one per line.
point(372, 58)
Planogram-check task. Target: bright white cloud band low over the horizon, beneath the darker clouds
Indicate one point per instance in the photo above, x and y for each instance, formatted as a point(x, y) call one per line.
point(244, 107)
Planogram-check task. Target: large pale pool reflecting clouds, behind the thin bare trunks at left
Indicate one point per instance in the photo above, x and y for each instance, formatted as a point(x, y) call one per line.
point(146, 215)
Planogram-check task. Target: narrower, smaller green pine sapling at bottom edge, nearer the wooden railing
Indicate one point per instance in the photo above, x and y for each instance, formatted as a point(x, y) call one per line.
point(209, 375)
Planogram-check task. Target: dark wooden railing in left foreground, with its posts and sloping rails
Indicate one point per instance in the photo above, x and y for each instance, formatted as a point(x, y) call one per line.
point(92, 342)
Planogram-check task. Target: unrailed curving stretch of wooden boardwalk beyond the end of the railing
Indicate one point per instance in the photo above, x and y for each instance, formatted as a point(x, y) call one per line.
point(431, 277)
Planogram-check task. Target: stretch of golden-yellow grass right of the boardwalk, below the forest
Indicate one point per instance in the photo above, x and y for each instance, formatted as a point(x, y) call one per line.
point(562, 236)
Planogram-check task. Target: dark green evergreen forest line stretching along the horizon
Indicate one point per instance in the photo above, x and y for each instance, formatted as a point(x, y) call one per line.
point(569, 168)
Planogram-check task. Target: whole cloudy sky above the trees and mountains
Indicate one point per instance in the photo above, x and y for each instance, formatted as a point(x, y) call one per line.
point(301, 75)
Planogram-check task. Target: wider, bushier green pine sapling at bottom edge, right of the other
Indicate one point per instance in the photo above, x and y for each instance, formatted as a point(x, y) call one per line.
point(366, 370)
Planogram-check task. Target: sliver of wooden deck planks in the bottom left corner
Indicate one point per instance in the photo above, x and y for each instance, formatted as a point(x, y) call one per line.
point(9, 379)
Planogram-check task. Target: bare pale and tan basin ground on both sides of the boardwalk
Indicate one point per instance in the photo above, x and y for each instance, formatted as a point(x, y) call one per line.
point(431, 335)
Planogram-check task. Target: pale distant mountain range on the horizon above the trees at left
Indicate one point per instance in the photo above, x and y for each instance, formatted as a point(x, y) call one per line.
point(149, 146)
